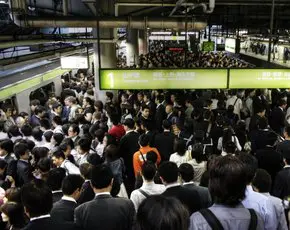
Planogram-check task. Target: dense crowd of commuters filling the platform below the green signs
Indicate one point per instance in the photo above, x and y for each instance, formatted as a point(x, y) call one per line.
point(174, 160)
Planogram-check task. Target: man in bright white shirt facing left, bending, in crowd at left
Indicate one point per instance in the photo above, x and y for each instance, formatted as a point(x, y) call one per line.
point(59, 160)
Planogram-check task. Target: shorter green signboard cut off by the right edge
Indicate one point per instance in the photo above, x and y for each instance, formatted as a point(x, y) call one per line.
point(259, 78)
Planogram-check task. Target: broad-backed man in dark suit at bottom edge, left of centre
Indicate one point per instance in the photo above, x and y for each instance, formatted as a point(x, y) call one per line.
point(105, 212)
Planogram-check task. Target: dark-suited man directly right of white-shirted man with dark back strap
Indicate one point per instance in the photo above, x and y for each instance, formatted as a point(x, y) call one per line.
point(168, 172)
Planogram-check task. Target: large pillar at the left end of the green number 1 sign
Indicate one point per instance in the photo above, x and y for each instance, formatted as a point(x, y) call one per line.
point(107, 53)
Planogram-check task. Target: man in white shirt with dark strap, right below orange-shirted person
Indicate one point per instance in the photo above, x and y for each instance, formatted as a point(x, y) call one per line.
point(149, 187)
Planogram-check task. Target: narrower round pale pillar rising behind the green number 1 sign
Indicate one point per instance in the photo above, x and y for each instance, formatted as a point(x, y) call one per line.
point(132, 47)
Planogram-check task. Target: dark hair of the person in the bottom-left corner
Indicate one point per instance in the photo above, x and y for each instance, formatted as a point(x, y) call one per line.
point(15, 213)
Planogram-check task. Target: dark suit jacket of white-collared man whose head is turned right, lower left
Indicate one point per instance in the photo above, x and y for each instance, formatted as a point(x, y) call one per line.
point(63, 211)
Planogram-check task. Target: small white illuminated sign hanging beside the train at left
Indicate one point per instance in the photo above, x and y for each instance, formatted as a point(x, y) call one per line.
point(74, 62)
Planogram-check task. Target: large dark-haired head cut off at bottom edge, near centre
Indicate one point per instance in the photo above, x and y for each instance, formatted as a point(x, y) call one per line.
point(172, 214)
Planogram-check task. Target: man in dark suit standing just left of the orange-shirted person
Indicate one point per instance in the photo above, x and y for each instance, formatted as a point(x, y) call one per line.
point(128, 146)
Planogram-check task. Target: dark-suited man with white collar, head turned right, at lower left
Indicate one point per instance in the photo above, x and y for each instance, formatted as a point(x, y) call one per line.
point(63, 210)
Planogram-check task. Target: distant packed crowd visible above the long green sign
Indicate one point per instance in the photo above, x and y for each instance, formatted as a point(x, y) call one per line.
point(161, 57)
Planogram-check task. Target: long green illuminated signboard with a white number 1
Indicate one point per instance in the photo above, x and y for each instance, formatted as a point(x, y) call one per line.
point(163, 79)
